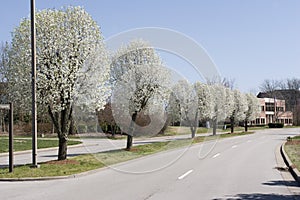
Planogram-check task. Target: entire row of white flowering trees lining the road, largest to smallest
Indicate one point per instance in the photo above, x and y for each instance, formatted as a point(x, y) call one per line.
point(75, 72)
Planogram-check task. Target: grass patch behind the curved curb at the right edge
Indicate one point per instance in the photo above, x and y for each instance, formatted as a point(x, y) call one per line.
point(292, 148)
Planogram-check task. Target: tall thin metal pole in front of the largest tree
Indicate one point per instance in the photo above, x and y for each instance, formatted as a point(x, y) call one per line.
point(33, 65)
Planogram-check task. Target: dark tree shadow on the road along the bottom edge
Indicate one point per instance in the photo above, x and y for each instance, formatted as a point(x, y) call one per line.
point(258, 196)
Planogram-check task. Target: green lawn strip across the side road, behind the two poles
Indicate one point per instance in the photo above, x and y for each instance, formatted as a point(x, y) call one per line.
point(22, 144)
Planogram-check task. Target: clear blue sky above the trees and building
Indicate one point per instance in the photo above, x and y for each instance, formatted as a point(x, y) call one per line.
point(248, 40)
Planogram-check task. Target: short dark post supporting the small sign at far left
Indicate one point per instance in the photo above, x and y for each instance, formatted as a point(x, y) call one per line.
point(11, 141)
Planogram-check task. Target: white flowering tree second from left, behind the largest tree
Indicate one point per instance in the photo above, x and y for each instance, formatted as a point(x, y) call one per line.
point(140, 85)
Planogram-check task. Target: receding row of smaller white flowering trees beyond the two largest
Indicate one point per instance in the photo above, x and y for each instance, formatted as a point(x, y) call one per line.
point(212, 102)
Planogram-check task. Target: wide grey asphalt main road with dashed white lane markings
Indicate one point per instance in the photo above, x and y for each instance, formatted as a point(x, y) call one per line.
point(235, 168)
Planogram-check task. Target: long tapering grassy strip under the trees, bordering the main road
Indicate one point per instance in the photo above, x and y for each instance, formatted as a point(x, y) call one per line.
point(88, 162)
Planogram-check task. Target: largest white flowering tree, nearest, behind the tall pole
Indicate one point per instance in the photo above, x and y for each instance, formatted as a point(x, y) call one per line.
point(72, 66)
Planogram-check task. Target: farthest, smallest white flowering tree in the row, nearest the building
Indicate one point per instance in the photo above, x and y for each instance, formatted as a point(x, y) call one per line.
point(253, 109)
